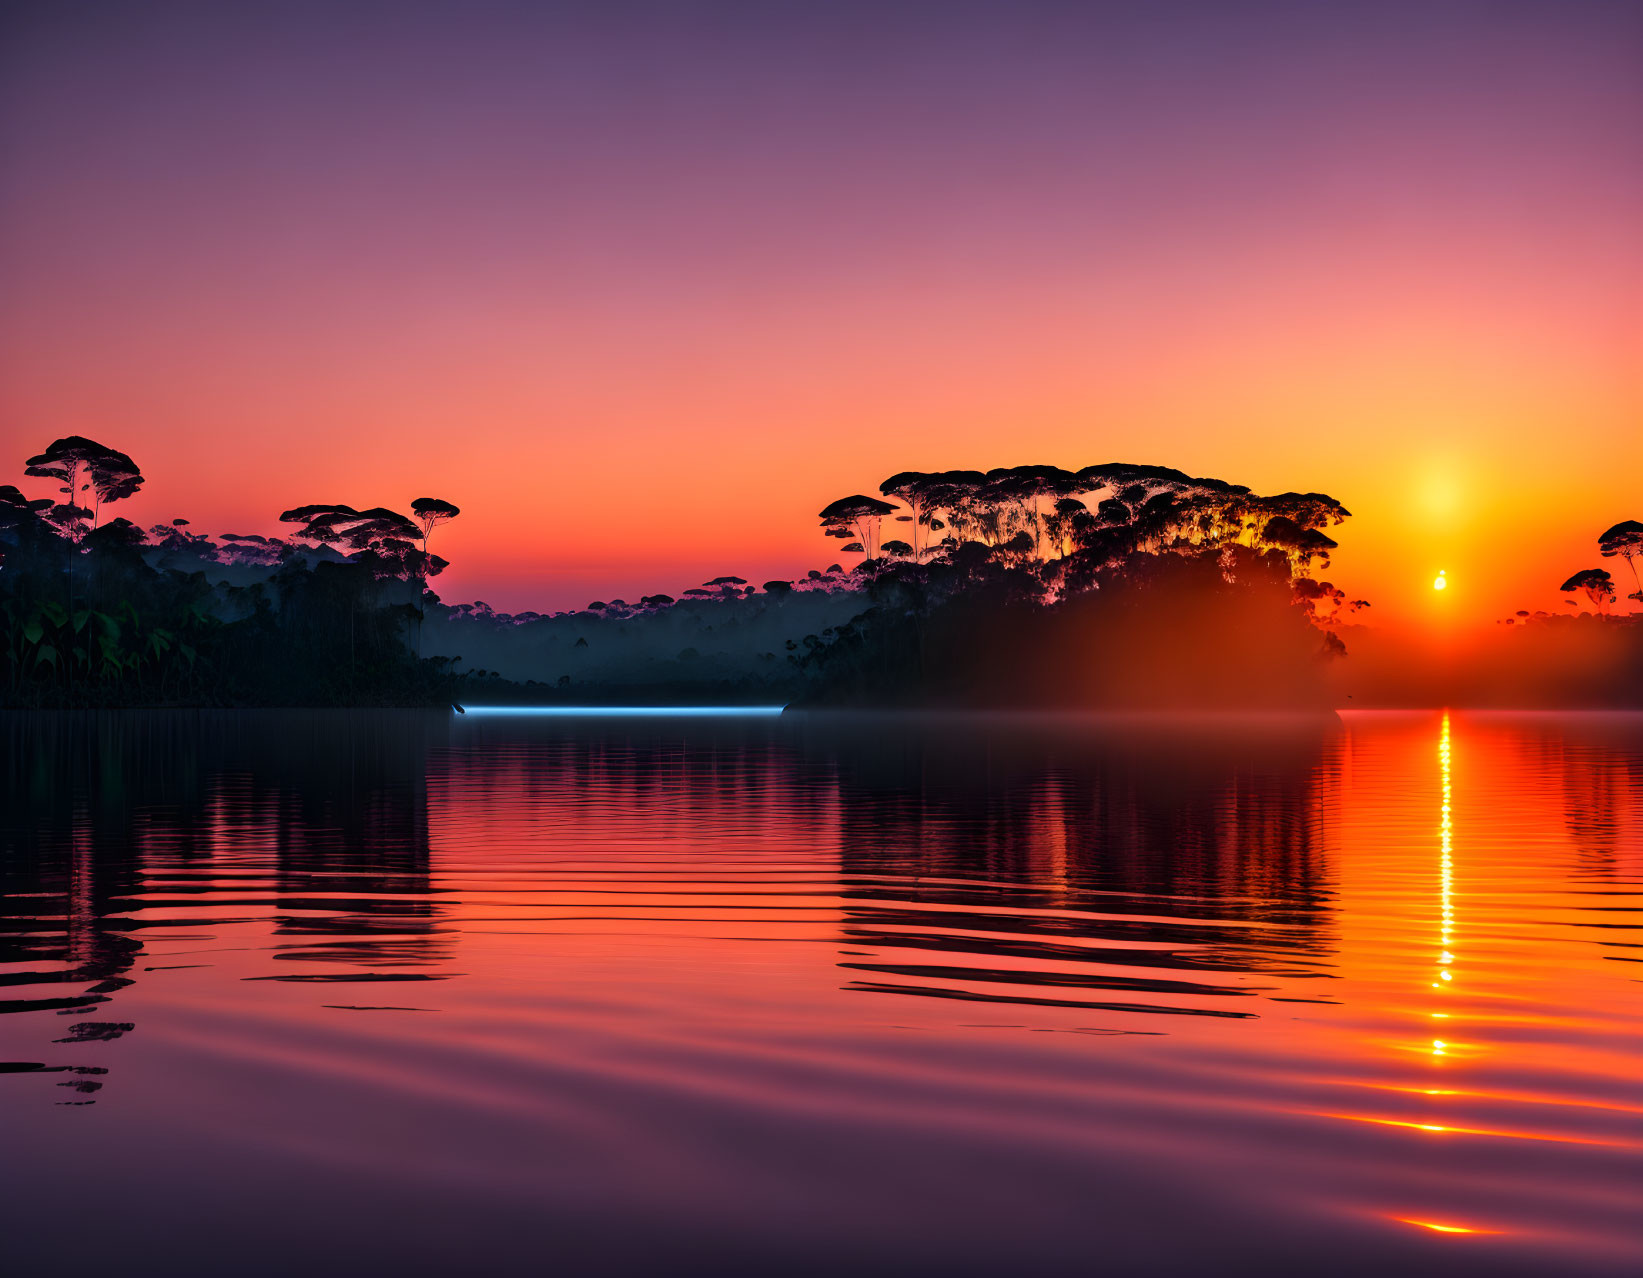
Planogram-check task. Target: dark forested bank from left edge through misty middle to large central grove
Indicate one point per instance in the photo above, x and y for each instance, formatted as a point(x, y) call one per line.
point(1031, 586)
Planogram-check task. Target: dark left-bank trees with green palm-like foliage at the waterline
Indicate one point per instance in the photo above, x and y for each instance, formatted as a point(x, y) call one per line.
point(101, 612)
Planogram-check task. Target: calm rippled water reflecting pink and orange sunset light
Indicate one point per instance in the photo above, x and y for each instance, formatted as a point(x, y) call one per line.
point(352, 993)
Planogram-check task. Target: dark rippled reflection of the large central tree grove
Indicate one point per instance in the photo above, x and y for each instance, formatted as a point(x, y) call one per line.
point(1115, 867)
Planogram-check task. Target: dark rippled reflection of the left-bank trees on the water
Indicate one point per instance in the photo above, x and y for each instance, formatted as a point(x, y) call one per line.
point(188, 816)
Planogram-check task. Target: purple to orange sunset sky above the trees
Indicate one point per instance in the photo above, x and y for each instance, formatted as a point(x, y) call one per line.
point(643, 287)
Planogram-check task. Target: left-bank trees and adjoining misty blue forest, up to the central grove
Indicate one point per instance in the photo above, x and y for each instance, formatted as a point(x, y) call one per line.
point(98, 612)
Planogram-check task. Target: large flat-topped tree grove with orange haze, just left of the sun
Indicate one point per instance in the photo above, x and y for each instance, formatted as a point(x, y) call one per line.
point(1107, 586)
